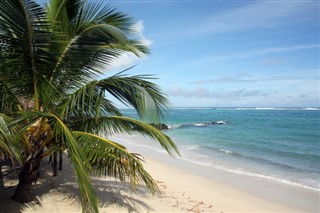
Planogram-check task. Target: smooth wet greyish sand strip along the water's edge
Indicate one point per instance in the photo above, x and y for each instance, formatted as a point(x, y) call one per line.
point(280, 194)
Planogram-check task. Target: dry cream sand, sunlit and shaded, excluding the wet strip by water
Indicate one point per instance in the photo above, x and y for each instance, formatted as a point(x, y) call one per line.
point(180, 192)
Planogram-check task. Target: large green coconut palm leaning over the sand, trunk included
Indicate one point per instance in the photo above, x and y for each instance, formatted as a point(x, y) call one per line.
point(50, 59)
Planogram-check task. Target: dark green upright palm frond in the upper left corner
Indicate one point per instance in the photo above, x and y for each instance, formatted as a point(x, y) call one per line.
point(23, 30)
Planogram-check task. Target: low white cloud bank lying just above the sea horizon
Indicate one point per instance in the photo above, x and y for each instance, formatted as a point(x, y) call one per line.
point(241, 98)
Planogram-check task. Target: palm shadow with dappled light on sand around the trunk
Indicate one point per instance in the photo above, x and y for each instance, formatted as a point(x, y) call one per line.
point(110, 192)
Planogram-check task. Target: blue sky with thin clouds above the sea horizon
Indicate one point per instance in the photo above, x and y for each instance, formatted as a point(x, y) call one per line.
point(229, 53)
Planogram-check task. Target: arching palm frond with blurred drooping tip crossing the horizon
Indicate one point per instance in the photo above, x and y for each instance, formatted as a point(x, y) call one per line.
point(136, 91)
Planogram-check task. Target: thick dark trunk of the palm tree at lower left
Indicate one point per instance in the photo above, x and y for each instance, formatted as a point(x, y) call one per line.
point(28, 175)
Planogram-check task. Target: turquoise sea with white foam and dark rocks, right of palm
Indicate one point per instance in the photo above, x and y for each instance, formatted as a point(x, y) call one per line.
point(279, 145)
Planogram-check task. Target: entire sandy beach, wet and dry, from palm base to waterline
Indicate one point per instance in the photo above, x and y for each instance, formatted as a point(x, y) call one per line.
point(185, 187)
